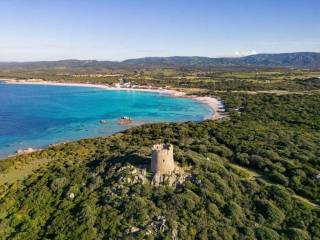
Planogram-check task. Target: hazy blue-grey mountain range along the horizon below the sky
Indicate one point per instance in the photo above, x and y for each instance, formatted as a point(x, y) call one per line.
point(295, 60)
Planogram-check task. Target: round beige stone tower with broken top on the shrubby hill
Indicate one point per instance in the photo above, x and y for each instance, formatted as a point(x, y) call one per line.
point(162, 159)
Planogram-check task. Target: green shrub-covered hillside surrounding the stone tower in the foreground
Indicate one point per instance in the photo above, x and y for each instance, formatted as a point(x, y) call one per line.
point(253, 176)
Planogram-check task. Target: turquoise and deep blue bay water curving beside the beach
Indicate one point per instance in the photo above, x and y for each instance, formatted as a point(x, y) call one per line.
point(36, 116)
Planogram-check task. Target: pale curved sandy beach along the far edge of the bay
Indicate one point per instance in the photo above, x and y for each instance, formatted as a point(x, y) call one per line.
point(213, 103)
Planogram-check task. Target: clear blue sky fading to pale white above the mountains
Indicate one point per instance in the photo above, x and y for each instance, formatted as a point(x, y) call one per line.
point(119, 29)
